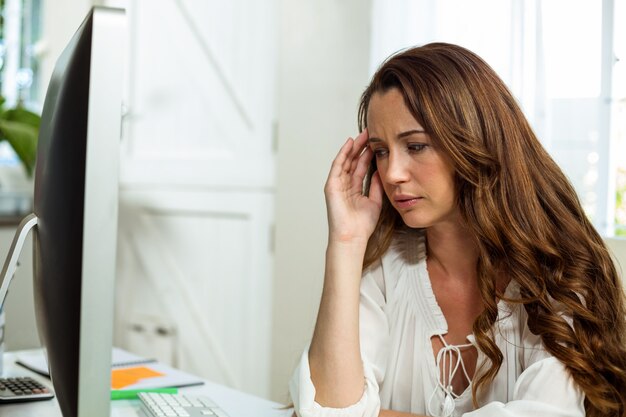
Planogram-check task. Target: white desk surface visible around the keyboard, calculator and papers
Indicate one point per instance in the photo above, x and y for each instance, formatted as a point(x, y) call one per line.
point(236, 403)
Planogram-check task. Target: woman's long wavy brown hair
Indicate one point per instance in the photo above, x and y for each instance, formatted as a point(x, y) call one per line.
point(525, 215)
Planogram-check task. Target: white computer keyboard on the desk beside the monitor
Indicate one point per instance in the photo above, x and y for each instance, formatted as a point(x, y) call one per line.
point(179, 405)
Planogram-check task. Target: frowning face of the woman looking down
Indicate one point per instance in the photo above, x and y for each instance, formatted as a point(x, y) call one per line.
point(418, 179)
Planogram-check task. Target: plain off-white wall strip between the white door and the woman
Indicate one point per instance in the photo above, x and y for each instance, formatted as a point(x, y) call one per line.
point(323, 69)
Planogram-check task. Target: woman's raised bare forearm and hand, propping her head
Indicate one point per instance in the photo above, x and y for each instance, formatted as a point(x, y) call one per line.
point(334, 356)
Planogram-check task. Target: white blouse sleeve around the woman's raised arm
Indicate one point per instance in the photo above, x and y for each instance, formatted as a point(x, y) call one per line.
point(373, 332)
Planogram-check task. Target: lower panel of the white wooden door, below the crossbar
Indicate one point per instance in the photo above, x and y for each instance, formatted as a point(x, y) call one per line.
point(201, 262)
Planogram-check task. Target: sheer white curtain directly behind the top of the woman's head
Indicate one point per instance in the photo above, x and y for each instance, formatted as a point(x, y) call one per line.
point(506, 33)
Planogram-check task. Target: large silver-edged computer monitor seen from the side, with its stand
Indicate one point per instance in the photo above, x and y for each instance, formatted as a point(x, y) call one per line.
point(75, 211)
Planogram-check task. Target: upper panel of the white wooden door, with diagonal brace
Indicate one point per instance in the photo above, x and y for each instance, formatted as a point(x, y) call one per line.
point(200, 95)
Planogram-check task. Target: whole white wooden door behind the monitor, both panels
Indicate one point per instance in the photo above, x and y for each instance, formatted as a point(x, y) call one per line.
point(197, 191)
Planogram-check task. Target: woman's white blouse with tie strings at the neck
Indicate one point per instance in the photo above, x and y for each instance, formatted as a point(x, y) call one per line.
point(398, 316)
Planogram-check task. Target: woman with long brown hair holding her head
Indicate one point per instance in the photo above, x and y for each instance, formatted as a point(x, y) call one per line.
point(466, 279)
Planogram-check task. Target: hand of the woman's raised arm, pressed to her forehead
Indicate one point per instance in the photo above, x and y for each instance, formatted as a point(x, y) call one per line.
point(352, 216)
